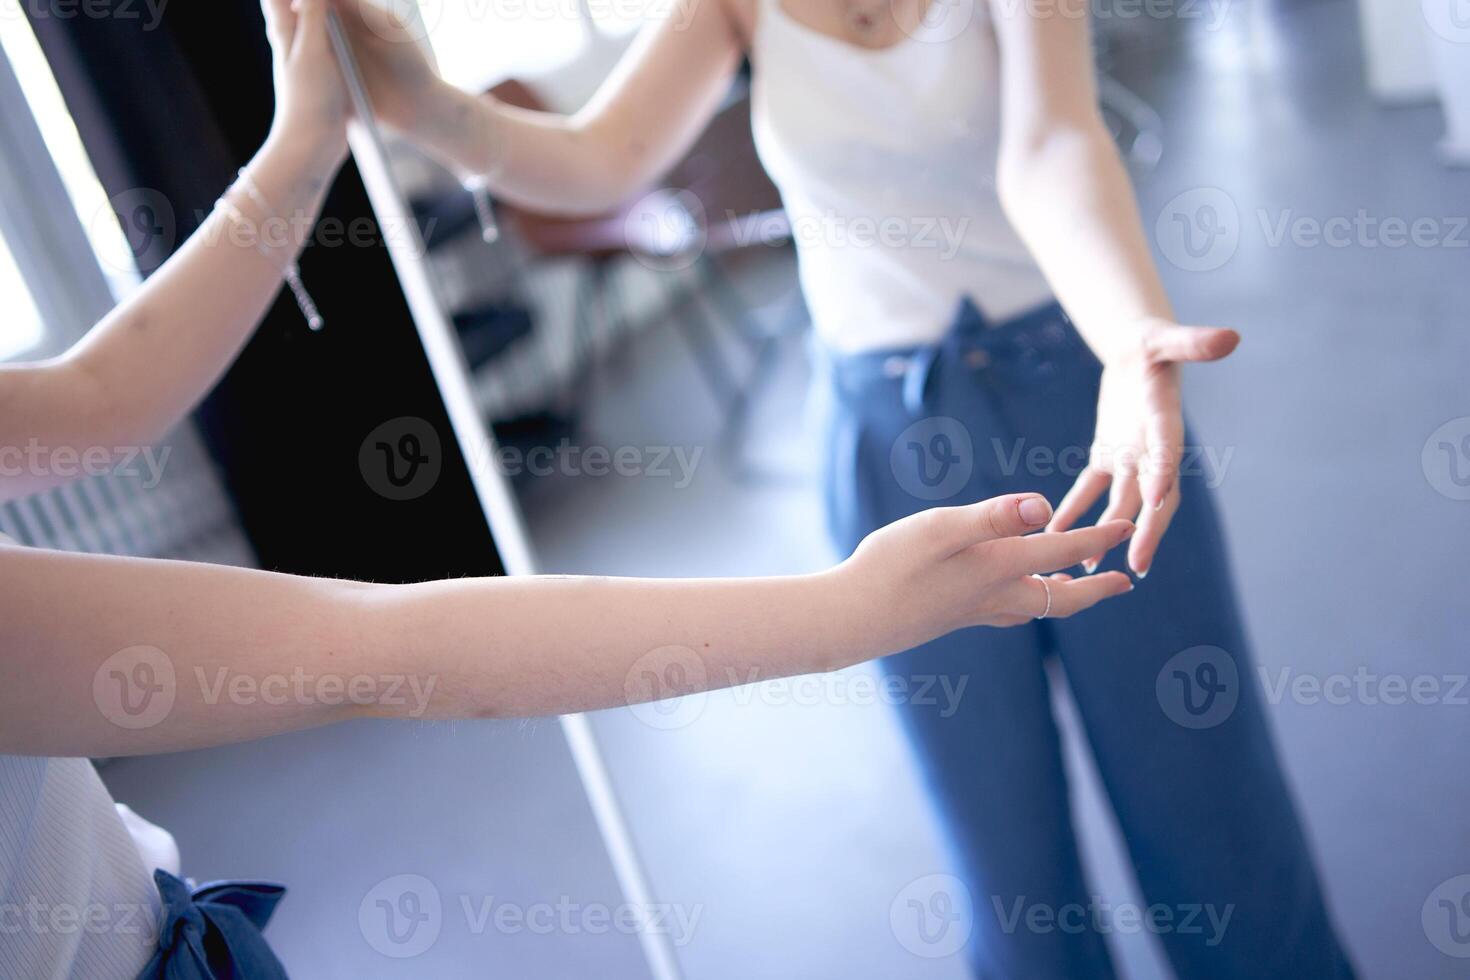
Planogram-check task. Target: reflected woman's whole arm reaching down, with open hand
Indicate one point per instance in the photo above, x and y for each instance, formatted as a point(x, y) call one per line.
point(1066, 192)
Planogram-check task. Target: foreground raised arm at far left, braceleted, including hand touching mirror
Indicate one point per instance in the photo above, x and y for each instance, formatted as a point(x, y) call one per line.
point(142, 370)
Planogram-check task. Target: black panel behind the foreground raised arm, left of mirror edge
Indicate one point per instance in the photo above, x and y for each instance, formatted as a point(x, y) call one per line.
point(171, 115)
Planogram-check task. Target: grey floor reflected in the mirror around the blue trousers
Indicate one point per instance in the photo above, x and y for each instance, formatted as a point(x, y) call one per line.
point(799, 825)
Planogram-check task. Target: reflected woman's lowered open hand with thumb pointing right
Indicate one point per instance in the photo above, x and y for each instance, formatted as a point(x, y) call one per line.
point(1140, 437)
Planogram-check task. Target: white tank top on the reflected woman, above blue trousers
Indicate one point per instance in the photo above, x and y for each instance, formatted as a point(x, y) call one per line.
point(886, 161)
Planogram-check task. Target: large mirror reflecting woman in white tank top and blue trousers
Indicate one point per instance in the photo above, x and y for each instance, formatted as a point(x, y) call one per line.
point(761, 350)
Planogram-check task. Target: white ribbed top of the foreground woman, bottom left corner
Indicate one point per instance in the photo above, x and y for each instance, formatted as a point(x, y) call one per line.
point(77, 896)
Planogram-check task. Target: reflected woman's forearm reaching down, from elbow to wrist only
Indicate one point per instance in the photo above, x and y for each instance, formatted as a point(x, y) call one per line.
point(1069, 198)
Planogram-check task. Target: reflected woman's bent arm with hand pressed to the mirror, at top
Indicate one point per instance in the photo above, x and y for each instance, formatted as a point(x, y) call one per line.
point(639, 124)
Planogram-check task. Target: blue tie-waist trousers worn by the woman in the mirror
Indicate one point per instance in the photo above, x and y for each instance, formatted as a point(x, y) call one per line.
point(1162, 678)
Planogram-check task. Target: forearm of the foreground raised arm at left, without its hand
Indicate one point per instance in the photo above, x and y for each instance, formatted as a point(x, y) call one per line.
point(139, 372)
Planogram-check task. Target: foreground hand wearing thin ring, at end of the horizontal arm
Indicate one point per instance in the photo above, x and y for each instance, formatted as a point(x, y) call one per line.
point(955, 568)
